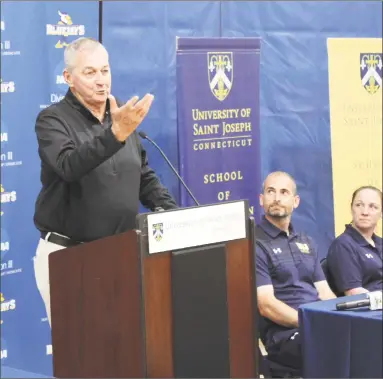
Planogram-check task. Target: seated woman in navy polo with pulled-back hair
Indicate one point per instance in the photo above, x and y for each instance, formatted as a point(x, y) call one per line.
point(355, 257)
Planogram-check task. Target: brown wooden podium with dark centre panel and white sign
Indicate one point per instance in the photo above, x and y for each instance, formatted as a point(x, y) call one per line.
point(174, 298)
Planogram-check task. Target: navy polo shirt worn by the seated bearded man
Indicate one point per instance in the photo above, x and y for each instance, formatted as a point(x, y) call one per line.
point(290, 264)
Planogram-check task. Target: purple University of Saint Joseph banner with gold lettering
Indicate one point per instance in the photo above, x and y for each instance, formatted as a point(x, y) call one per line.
point(218, 119)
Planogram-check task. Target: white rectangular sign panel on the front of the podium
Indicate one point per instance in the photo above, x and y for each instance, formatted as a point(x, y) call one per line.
point(188, 227)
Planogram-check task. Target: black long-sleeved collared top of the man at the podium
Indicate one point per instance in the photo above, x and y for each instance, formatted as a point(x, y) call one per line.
point(91, 183)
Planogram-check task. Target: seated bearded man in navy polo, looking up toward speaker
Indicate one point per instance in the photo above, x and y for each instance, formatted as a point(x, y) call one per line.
point(288, 270)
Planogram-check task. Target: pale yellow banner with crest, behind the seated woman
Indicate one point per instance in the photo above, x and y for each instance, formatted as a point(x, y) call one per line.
point(355, 83)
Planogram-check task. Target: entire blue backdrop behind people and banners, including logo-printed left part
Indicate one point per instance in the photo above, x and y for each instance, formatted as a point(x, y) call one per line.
point(140, 37)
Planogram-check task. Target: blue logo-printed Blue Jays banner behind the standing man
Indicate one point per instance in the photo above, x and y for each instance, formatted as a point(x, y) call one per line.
point(33, 38)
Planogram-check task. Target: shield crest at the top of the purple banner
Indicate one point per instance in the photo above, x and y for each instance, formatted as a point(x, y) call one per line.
point(220, 72)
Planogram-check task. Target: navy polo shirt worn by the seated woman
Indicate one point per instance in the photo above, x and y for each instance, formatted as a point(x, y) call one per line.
point(353, 262)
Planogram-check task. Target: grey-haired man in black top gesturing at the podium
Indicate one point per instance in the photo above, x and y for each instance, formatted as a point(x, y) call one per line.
point(94, 170)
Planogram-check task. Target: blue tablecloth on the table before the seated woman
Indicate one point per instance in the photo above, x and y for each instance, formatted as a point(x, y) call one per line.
point(341, 344)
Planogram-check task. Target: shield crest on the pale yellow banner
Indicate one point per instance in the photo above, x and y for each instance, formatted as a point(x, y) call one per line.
point(371, 71)
